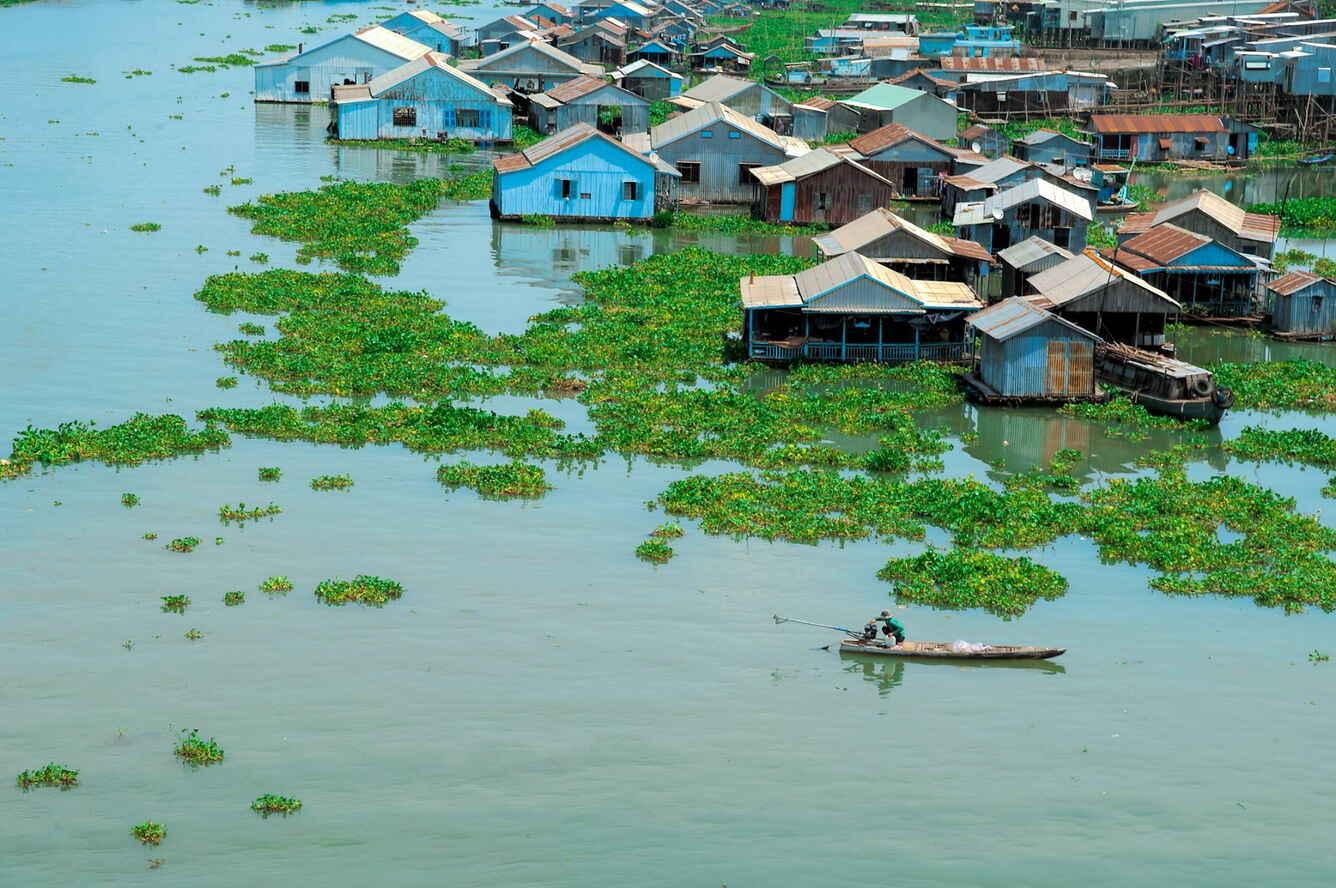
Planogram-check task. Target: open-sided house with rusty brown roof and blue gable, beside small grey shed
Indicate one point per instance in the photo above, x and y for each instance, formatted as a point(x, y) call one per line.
point(1203, 276)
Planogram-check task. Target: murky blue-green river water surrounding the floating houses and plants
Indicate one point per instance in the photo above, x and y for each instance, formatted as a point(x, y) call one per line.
point(542, 708)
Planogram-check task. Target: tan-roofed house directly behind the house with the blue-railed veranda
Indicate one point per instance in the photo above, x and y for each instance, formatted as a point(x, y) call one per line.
point(900, 245)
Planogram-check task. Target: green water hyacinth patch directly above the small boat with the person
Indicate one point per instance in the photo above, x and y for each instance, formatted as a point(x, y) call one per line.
point(965, 579)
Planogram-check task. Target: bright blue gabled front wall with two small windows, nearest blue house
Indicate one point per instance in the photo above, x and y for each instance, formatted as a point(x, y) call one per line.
point(595, 169)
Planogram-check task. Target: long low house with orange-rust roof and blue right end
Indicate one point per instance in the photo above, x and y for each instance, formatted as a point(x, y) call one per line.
point(1154, 138)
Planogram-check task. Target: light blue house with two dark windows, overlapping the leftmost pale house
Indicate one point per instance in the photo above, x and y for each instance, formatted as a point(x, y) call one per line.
point(423, 99)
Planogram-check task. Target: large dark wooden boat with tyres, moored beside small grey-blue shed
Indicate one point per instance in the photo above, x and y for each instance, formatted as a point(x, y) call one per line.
point(1163, 385)
